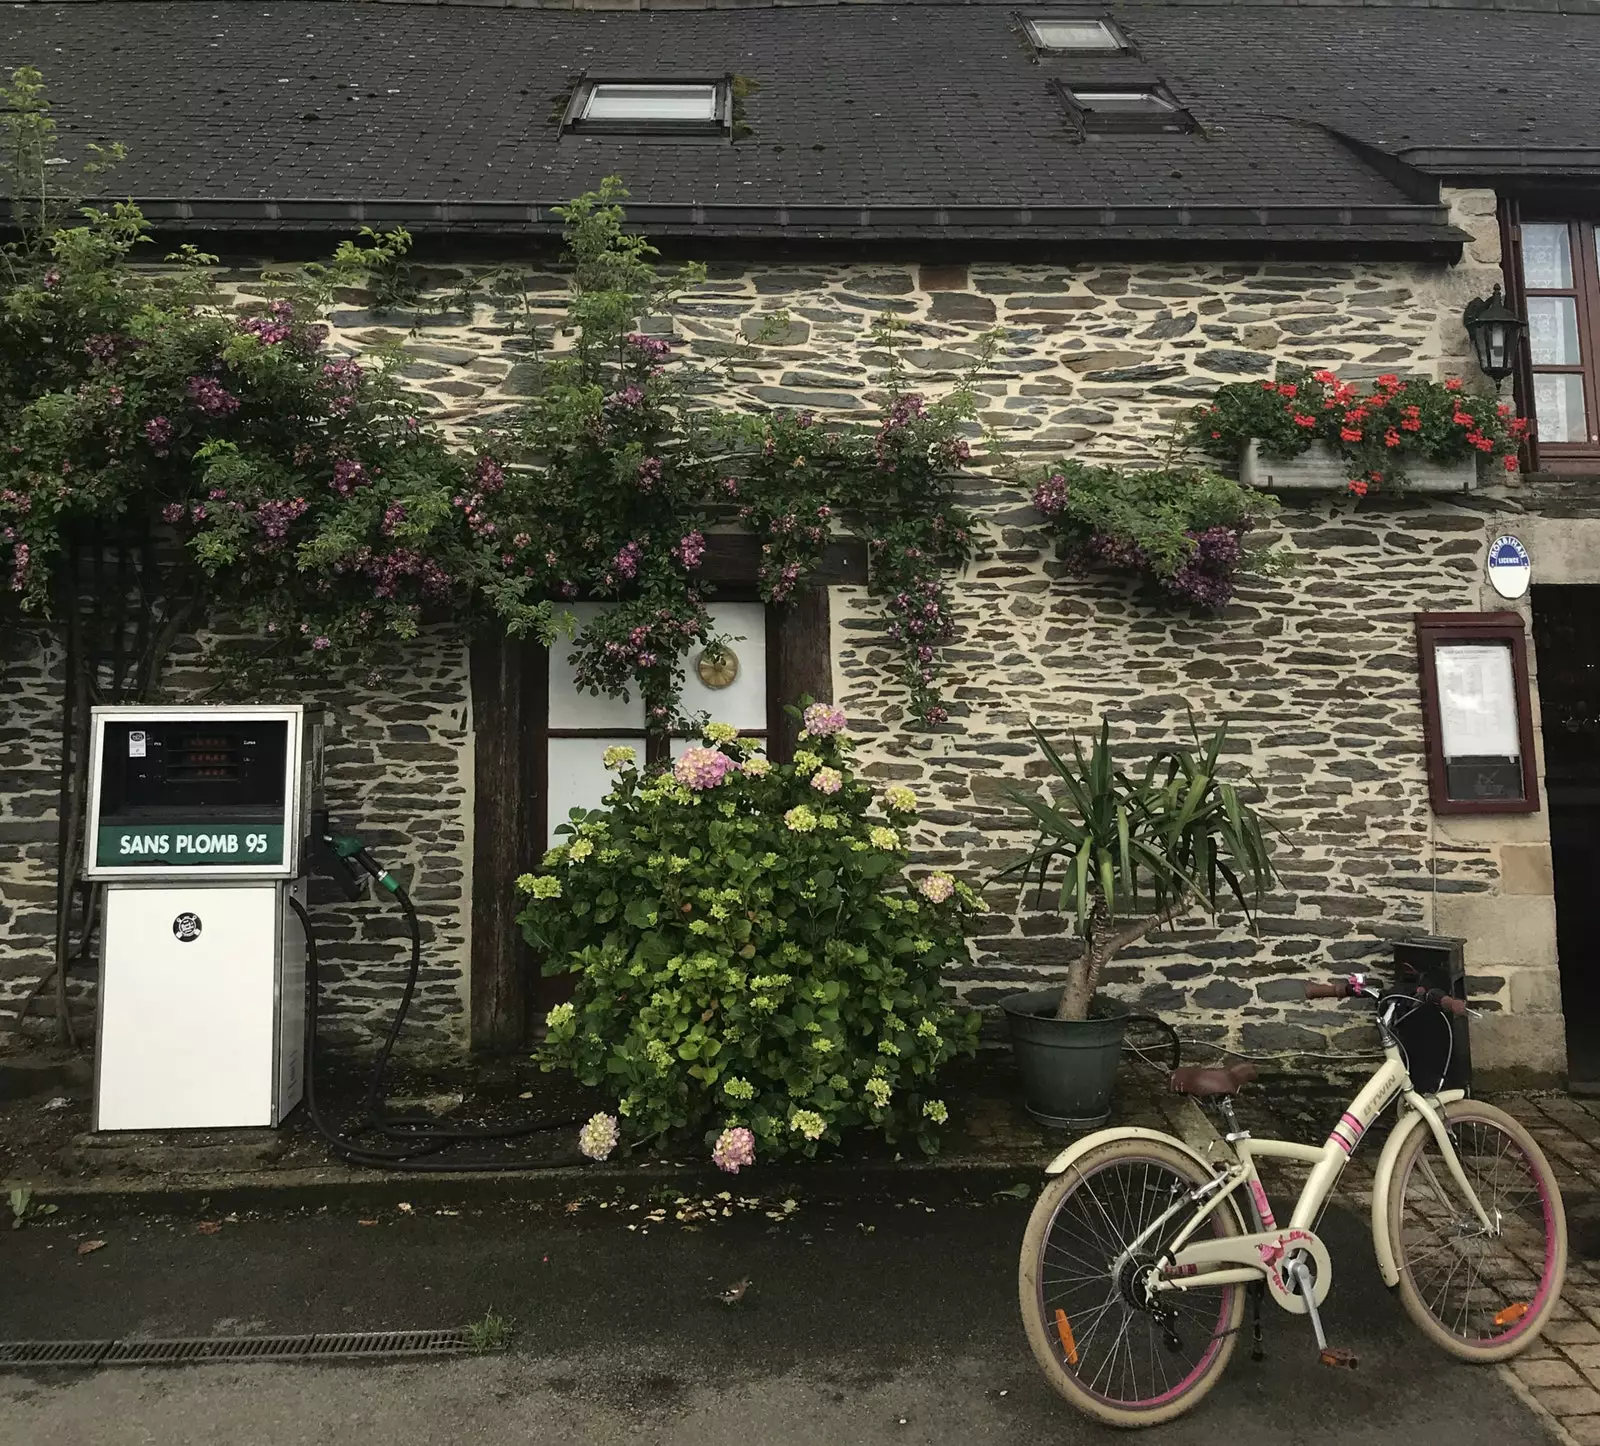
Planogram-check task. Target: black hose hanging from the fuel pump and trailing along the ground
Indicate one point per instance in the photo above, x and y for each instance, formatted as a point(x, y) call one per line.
point(409, 1143)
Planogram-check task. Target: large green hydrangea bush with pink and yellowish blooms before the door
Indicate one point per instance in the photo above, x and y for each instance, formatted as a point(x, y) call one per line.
point(754, 964)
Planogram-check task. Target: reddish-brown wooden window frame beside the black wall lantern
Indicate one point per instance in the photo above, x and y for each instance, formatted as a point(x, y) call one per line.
point(1583, 241)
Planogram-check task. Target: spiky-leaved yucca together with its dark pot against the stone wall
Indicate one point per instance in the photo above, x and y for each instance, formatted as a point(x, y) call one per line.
point(1124, 855)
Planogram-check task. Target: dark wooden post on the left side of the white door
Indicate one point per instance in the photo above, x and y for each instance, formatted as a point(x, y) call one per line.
point(508, 716)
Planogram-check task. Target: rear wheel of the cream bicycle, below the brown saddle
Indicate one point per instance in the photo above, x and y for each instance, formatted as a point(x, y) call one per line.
point(1106, 1346)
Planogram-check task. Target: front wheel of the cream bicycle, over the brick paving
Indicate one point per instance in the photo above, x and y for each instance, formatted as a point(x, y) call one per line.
point(1484, 1295)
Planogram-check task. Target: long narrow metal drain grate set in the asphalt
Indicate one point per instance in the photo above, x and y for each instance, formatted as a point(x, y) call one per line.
point(346, 1346)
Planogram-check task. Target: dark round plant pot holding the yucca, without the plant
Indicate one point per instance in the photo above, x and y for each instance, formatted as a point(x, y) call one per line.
point(1070, 1066)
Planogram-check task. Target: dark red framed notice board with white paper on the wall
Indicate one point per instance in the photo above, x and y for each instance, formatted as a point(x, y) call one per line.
point(1478, 714)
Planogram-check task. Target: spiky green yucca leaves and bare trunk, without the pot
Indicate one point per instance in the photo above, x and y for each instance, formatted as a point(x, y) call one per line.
point(1130, 855)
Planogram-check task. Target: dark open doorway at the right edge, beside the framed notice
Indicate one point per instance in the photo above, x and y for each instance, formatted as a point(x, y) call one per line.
point(1567, 637)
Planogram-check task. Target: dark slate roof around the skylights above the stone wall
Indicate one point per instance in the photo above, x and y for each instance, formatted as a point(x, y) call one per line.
point(866, 121)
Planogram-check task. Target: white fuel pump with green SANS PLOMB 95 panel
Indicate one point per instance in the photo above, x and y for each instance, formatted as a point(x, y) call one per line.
point(194, 826)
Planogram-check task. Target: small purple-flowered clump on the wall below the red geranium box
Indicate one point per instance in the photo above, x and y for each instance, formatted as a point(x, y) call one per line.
point(1185, 530)
